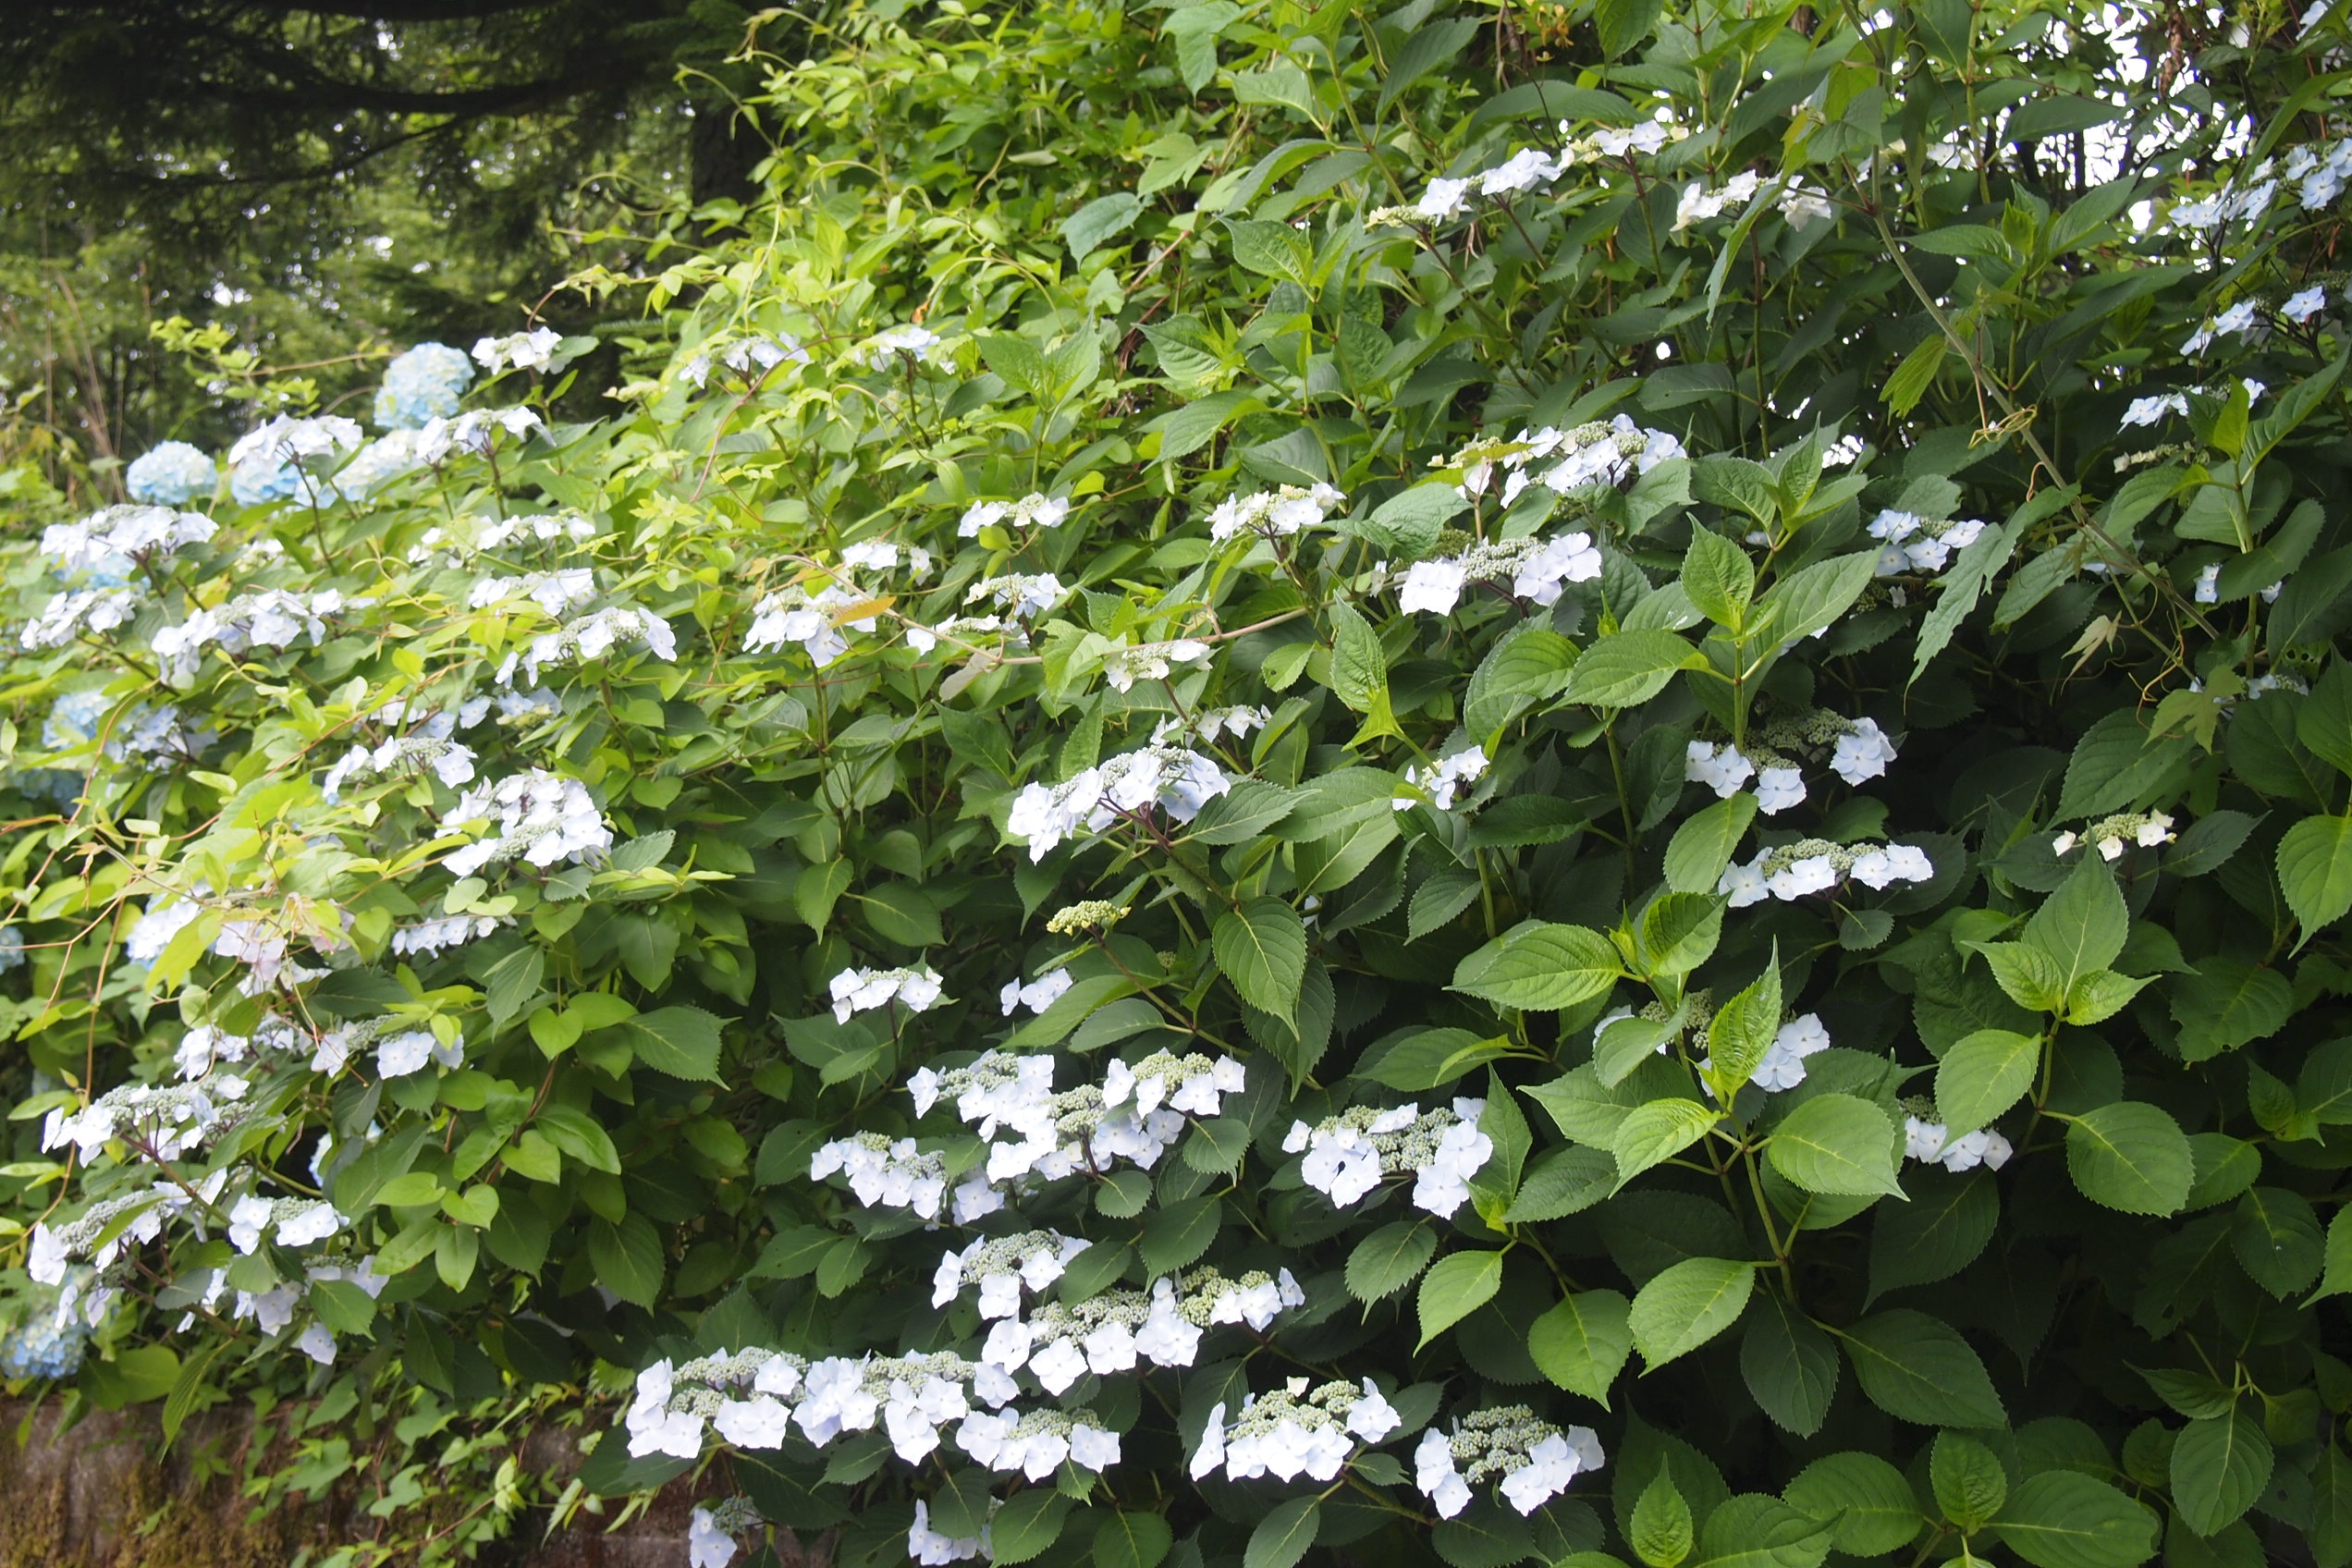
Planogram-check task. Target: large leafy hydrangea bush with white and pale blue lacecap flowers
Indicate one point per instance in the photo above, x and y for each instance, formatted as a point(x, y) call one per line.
point(1514, 786)
